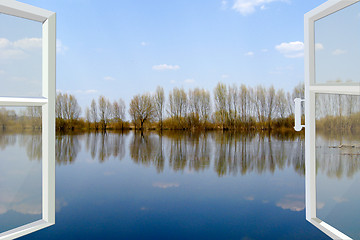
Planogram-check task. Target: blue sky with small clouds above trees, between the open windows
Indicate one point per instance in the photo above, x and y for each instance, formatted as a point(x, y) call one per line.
point(122, 48)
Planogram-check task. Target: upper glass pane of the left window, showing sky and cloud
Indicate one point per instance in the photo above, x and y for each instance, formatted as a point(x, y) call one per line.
point(20, 57)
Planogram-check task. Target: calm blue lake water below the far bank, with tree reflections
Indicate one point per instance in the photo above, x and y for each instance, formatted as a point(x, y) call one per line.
point(174, 186)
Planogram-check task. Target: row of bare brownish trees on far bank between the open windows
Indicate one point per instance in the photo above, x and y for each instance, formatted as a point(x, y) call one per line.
point(228, 107)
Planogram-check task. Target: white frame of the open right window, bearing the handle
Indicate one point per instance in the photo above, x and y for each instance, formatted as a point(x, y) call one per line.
point(311, 89)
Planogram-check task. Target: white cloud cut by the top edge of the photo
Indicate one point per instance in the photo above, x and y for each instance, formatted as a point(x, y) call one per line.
point(247, 7)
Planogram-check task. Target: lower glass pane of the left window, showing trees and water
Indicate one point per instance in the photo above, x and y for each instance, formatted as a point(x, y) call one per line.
point(20, 166)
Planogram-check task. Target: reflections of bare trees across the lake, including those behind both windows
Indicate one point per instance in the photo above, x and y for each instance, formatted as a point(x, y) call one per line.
point(228, 153)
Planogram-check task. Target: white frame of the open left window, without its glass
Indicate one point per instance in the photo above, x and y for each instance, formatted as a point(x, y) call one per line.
point(47, 102)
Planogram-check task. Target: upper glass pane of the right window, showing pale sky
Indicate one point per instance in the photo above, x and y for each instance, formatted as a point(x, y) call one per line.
point(337, 47)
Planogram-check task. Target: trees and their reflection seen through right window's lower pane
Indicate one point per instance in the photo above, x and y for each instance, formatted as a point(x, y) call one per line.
point(337, 129)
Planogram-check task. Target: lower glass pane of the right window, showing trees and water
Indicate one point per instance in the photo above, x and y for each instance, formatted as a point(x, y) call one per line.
point(338, 161)
